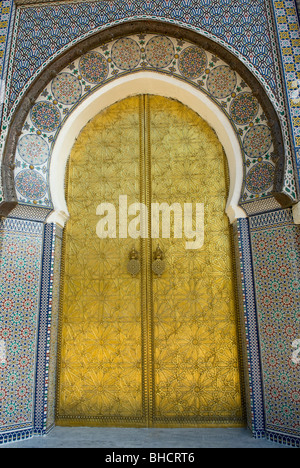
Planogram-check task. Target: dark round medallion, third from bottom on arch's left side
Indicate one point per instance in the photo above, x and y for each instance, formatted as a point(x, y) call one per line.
point(45, 116)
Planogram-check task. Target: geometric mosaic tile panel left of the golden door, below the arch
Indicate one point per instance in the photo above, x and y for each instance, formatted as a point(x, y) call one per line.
point(20, 264)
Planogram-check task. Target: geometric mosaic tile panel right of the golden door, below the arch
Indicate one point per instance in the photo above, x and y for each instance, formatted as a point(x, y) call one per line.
point(275, 243)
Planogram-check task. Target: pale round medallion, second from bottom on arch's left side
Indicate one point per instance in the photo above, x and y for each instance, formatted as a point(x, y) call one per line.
point(33, 149)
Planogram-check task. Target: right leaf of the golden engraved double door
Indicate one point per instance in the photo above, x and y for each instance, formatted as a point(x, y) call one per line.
point(195, 365)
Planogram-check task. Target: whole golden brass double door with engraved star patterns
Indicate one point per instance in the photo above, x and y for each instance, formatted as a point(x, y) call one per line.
point(147, 349)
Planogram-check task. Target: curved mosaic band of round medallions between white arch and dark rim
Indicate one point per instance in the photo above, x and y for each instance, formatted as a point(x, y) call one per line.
point(171, 56)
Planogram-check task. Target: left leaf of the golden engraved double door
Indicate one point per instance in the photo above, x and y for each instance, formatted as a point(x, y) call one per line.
point(101, 355)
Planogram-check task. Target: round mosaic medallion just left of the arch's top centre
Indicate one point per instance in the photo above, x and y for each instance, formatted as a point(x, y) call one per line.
point(126, 53)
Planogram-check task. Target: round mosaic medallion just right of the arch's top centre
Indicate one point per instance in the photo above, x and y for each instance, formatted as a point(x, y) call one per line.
point(159, 51)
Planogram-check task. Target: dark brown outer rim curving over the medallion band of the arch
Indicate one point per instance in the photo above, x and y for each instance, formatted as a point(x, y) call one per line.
point(114, 32)
